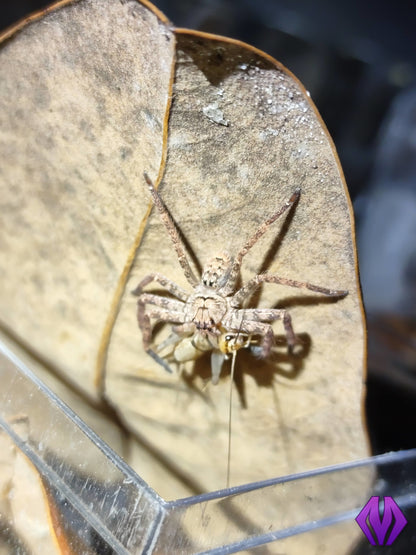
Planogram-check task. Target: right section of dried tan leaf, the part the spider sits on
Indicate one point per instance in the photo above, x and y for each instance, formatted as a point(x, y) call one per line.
point(220, 182)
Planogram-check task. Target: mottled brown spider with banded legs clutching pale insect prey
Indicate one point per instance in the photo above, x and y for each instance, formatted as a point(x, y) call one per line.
point(212, 318)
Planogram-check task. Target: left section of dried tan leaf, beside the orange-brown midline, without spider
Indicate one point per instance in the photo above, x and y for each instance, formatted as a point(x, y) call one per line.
point(78, 121)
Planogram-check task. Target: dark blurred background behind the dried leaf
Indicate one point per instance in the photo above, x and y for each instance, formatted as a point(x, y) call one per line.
point(358, 60)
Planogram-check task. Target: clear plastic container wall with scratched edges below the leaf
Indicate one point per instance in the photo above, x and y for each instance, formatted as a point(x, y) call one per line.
point(103, 506)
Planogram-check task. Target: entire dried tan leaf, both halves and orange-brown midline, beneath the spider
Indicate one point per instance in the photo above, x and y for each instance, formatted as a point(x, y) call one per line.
point(85, 108)
